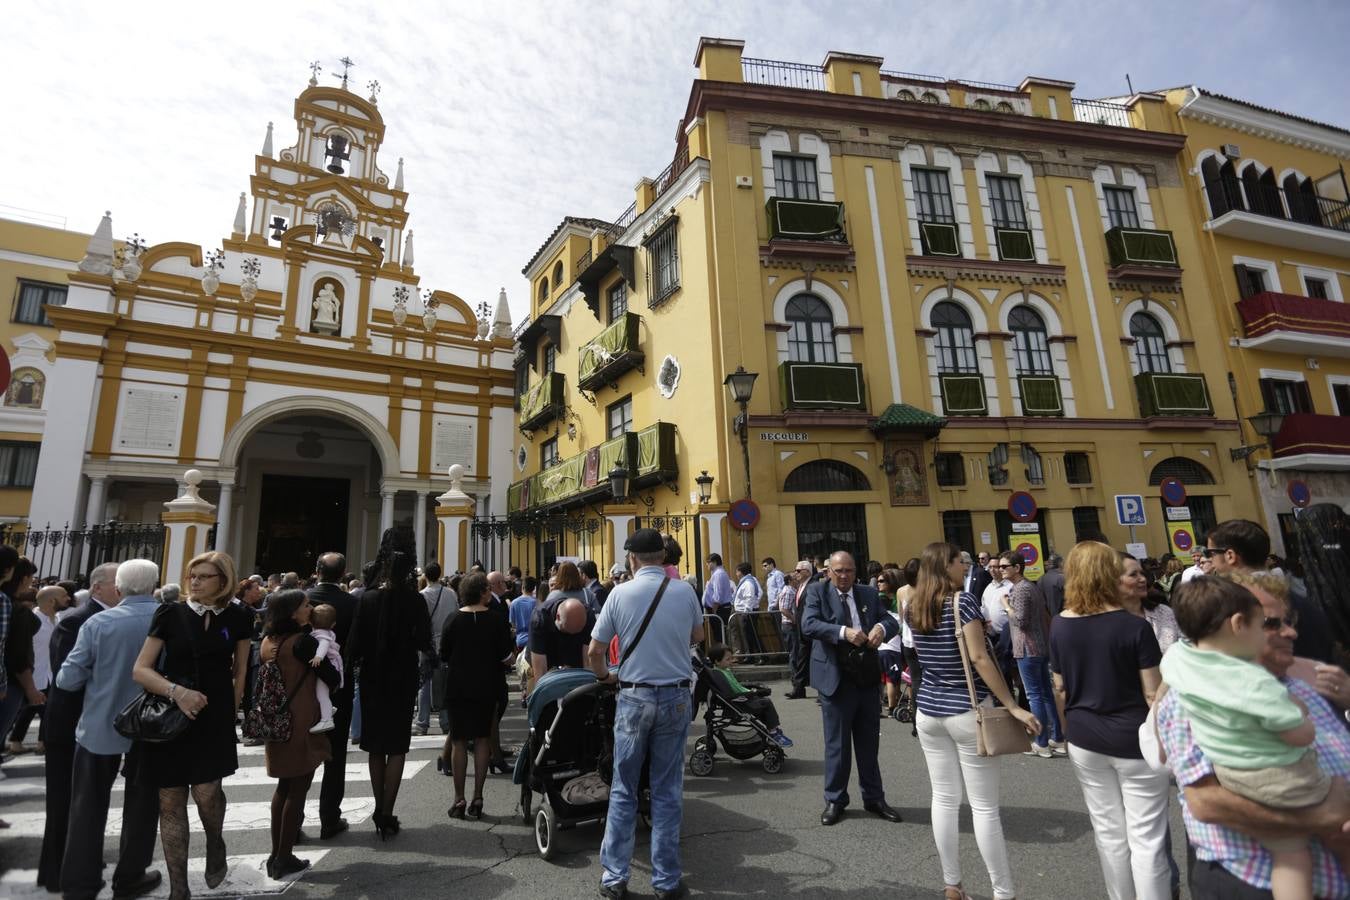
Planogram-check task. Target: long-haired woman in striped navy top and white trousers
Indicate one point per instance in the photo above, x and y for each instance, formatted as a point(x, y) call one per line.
point(947, 723)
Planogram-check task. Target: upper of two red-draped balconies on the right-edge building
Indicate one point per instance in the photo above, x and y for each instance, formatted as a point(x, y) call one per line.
point(1291, 325)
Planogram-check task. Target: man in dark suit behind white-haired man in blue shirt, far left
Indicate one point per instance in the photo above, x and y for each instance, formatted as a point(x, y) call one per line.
point(59, 727)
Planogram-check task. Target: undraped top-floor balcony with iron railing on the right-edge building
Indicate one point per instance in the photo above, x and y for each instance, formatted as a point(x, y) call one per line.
point(1275, 215)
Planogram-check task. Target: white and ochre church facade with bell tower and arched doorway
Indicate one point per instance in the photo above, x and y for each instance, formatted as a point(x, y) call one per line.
point(300, 368)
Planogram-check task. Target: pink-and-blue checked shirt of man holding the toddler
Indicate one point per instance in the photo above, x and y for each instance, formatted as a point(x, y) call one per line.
point(1240, 853)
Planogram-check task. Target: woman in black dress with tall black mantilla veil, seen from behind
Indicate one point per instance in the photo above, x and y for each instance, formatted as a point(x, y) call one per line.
point(391, 628)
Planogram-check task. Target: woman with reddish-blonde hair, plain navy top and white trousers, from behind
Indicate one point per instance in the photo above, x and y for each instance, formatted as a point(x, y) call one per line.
point(1105, 662)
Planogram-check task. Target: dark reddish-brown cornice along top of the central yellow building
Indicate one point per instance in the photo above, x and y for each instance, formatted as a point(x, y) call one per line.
point(724, 95)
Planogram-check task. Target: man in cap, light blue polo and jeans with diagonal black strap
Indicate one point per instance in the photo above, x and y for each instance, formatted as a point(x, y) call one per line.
point(657, 619)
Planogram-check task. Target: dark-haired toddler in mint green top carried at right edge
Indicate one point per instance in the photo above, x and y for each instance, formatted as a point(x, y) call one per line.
point(1256, 735)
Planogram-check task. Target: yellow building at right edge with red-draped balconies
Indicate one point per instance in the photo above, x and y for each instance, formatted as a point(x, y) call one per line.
point(1268, 195)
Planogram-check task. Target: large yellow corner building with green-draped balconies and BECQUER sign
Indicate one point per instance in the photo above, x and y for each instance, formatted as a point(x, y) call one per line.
point(952, 293)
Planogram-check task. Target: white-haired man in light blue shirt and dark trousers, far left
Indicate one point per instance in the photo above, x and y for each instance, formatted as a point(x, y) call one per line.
point(101, 663)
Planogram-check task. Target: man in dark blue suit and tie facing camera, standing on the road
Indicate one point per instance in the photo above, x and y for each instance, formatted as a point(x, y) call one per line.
point(842, 616)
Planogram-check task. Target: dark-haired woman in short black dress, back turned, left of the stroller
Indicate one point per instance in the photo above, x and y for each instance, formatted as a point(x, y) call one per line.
point(475, 646)
